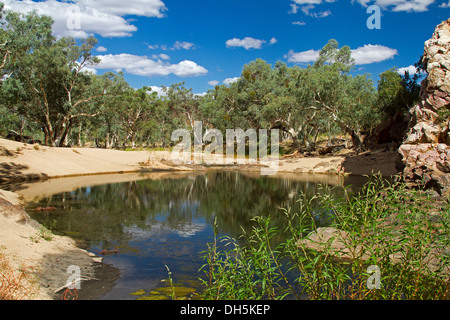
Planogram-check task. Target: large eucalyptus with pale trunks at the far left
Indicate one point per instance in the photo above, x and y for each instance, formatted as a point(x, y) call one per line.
point(47, 82)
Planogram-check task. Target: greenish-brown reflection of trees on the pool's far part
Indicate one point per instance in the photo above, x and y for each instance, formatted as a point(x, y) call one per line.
point(105, 213)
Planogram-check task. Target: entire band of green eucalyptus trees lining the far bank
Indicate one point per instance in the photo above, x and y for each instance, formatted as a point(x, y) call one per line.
point(47, 92)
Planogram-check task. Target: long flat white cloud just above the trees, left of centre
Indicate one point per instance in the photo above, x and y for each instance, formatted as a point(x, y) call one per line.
point(143, 66)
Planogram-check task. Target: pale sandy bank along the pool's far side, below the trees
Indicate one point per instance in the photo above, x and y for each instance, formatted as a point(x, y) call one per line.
point(22, 162)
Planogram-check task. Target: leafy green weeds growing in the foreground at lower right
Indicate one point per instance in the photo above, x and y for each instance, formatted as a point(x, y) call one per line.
point(387, 225)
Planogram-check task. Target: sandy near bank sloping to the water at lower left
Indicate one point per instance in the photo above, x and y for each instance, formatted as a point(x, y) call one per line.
point(45, 261)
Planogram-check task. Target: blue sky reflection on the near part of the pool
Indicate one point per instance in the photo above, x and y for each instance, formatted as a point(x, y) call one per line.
point(143, 259)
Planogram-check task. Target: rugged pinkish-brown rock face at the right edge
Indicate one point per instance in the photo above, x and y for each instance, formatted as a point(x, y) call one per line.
point(425, 152)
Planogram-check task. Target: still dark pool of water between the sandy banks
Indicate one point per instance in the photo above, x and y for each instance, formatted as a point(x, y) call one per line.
point(149, 224)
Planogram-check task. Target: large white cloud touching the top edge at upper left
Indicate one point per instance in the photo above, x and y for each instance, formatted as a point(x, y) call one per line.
point(83, 18)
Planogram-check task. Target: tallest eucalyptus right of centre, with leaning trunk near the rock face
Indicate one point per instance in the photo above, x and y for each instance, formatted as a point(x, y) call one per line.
point(348, 101)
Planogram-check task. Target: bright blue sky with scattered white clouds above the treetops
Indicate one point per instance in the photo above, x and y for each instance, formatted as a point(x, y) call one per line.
point(207, 42)
